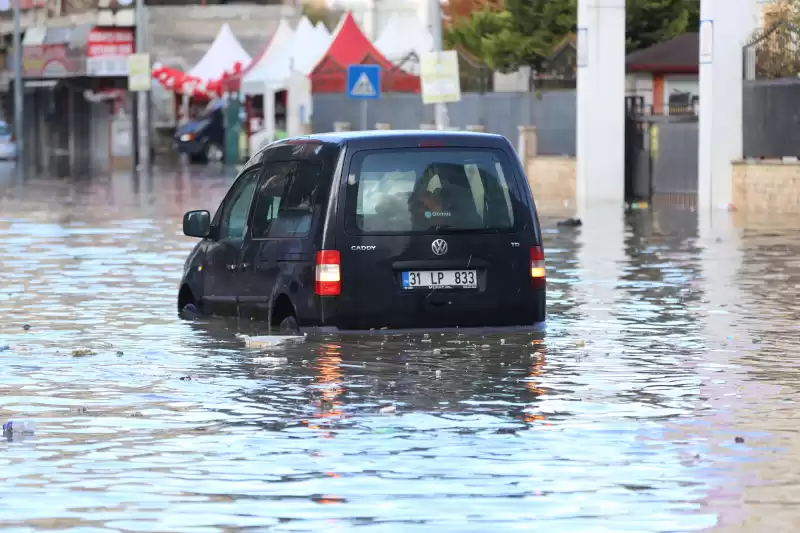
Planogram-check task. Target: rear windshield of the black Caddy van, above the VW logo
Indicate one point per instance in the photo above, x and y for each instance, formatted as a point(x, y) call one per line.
point(429, 190)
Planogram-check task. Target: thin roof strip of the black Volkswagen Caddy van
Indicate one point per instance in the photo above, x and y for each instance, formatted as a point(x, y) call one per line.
point(400, 137)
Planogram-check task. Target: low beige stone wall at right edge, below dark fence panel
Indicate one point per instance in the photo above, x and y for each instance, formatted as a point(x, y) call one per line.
point(766, 187)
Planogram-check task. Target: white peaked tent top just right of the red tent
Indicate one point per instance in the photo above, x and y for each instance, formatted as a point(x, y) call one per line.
point(402, 37)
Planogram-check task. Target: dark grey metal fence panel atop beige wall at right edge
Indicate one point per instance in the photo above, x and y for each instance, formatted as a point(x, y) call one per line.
point(771, 118)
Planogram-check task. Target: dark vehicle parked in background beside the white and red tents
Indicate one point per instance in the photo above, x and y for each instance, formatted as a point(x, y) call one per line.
point(203, 138)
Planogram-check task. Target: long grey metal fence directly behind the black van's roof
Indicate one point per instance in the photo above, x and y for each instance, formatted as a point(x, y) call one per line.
point(552, 112)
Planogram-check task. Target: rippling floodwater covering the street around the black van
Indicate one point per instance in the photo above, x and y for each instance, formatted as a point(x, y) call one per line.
point(662, 398)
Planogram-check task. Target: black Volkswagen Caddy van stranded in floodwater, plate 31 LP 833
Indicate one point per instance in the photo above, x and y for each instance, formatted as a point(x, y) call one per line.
point(373, 231)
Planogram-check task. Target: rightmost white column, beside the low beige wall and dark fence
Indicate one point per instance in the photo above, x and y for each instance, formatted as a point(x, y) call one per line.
point(725, 26)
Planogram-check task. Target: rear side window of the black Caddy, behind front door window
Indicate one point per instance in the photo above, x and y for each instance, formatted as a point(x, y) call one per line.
point(286, 200)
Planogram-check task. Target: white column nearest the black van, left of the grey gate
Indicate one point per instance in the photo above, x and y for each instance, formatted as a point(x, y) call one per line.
point(601, 103)
